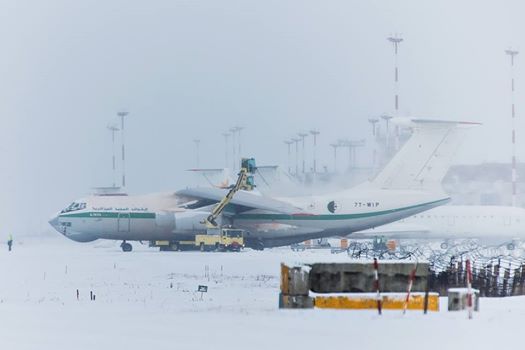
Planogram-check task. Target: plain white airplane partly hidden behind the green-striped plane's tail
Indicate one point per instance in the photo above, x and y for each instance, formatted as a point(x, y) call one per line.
point(493, 225)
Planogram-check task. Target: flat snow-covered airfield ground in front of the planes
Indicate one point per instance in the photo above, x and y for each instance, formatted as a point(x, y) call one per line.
point(148, 300)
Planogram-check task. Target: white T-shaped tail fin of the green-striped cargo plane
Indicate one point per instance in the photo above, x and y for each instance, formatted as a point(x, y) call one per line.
point(423, 161)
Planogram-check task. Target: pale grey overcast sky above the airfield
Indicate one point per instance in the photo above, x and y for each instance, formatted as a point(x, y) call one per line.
point(192, 69)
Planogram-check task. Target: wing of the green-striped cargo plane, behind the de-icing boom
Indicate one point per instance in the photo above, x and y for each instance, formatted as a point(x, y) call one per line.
point(242, 201)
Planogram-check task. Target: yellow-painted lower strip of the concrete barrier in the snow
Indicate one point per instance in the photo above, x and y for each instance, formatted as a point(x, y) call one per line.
point(389, 302)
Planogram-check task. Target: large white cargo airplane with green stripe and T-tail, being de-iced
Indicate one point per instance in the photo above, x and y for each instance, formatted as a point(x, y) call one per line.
point(409, 184)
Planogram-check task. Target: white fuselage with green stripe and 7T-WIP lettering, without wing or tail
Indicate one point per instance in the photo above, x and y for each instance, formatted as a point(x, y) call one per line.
point(159, 217)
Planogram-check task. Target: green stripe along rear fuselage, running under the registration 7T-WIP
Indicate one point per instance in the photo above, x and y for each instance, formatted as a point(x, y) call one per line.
point(331, 216)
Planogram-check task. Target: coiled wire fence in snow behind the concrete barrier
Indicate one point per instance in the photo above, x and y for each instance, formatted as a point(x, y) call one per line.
point(496, 270)
